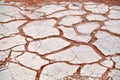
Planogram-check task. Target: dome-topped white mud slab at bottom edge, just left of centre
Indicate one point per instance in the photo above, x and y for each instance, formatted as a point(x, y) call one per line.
point(57, 71)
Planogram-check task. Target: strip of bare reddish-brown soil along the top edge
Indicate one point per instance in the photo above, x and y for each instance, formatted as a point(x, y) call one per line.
point(109, 2)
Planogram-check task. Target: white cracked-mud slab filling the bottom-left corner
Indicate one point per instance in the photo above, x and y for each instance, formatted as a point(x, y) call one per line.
point(15, 72)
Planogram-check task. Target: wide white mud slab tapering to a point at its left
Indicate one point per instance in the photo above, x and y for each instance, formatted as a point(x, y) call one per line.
point(77, 55)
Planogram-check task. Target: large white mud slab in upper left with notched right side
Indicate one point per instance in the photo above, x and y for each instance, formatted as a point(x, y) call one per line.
point(39, 29)
